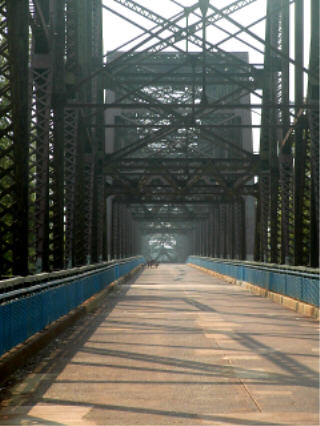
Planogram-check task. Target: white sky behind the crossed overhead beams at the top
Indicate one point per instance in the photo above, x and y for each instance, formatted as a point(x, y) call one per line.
point(118, 31)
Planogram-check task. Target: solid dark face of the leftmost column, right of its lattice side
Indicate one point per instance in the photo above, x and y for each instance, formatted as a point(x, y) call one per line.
point(19, 54)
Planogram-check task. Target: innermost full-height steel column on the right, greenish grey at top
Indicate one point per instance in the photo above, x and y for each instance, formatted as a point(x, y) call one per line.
point(269, 178)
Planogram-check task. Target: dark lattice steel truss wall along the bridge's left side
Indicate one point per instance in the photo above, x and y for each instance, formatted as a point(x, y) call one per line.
point(48, 155)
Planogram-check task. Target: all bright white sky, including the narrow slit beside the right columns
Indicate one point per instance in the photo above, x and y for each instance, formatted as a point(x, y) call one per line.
point(118, 32)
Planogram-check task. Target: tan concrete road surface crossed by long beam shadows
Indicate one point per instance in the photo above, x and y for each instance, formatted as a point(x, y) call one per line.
point(173, 346)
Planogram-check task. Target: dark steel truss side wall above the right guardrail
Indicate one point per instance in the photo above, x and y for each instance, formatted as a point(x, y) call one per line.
point(287, 220)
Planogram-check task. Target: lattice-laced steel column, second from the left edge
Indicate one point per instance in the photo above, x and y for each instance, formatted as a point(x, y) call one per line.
point(42, 85)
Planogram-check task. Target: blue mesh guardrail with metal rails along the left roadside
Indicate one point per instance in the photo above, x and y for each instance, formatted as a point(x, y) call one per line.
point(26, 310)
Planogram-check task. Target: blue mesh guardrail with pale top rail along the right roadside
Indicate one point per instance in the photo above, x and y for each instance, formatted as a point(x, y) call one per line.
point(300, 283)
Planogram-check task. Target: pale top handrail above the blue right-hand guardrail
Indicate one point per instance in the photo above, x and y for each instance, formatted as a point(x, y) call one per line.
point(307, 272)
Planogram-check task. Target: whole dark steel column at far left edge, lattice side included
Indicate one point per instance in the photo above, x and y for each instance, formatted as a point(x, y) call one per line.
point(14, 134)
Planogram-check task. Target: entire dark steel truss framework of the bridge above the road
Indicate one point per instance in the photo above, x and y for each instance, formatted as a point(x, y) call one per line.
point(150, 146)
